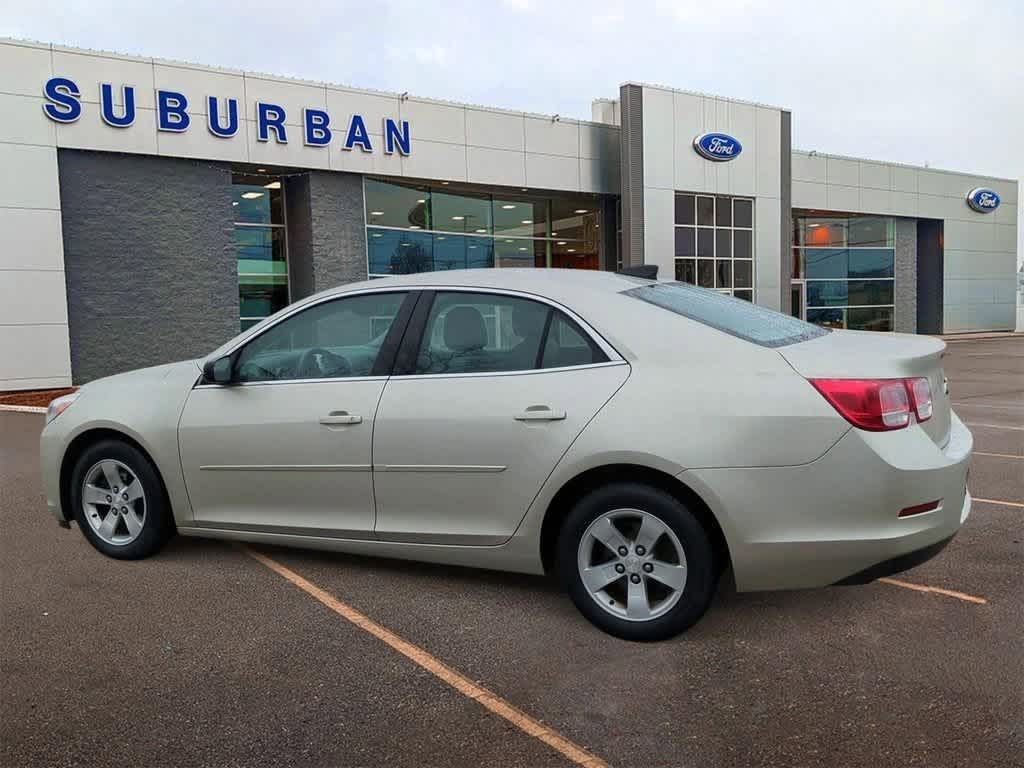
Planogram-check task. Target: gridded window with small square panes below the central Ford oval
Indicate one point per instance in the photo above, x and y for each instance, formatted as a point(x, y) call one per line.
point(715, 242)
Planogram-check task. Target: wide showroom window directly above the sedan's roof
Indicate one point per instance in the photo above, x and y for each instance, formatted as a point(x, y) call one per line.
point(467, 229)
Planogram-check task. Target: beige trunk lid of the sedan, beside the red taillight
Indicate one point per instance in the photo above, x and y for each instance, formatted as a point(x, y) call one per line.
point(860, 355)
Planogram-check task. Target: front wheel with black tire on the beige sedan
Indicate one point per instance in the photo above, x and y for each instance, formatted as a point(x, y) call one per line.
point(119, 501)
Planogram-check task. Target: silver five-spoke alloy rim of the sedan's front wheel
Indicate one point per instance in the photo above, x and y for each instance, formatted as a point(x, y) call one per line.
point(114, 502)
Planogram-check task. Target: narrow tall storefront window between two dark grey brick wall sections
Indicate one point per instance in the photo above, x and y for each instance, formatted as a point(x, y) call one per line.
point(259, 208)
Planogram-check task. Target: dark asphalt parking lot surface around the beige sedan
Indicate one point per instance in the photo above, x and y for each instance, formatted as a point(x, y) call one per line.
point(205, 656)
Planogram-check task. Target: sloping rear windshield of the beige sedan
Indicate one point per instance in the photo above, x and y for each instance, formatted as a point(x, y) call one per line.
point(733, 316)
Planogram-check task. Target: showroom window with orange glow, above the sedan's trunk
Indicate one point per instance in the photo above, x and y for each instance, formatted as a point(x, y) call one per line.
point(847, 264)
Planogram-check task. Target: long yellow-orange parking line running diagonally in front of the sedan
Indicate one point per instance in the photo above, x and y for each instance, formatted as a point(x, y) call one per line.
point(495, 704)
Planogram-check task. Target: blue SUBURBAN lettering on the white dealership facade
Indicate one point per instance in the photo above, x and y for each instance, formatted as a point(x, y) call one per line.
point(64, 106)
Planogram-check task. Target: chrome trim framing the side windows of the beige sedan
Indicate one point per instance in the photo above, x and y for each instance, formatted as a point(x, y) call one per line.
point(598, 338)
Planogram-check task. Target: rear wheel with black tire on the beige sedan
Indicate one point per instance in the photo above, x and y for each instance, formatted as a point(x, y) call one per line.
point(637, 563)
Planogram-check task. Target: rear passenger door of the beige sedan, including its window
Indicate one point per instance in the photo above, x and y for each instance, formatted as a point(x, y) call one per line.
point(489, 397)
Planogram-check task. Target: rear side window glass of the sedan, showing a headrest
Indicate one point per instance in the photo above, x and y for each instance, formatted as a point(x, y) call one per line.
point(493, 333)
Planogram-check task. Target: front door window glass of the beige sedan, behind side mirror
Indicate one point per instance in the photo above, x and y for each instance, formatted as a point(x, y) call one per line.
point(334, 340)
